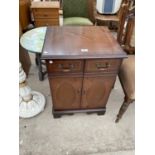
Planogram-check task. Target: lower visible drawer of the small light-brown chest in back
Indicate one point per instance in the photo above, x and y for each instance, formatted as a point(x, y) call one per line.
point(46, 22)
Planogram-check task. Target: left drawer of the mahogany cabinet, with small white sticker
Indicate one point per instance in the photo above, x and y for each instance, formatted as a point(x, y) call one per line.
point(64, 66)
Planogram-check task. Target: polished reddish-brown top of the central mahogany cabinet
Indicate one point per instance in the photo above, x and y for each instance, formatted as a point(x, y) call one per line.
point(80, 42)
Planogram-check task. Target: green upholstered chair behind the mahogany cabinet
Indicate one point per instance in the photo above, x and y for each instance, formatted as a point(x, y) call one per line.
point(78, 12)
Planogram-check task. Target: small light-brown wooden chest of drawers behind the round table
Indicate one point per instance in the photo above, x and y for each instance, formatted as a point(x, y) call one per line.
point(45, 13)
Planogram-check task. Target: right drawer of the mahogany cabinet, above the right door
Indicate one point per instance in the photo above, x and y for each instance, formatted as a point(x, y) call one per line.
point(102, 65)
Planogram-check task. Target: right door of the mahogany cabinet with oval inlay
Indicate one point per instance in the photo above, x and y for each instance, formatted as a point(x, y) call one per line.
point(96, 91)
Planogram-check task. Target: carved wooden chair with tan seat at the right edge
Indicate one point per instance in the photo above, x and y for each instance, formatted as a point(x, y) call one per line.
point(126, 35)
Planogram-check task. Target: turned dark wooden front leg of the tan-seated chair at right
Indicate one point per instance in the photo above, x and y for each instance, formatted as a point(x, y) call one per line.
point(123, 109)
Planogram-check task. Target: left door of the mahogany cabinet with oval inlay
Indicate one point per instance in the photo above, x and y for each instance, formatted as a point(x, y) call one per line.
point(66, 92)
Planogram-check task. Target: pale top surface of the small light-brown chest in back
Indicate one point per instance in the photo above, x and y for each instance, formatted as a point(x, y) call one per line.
point(54, 4)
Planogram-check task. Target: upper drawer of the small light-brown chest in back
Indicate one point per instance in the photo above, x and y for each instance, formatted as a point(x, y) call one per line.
point(45, 13)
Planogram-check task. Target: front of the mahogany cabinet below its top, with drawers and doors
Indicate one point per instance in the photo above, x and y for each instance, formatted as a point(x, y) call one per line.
point(81, 85)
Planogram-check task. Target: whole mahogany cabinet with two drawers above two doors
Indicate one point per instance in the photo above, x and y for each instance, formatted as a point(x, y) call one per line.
point(82, 65)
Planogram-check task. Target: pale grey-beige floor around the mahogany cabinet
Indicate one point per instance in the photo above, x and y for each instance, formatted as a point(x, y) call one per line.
point(80, 134)
